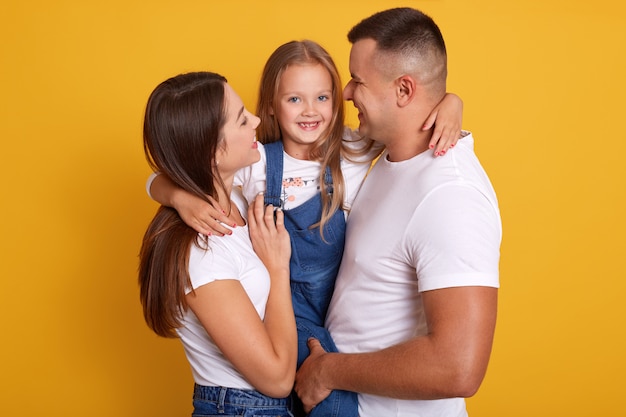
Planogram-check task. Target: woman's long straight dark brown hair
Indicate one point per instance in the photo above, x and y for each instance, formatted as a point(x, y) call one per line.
point(182, 132)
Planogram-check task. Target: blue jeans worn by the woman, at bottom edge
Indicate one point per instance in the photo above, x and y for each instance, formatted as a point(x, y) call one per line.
point(226, 402)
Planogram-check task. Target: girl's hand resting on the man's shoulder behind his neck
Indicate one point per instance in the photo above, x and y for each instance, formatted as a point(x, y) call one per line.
point(447, 117)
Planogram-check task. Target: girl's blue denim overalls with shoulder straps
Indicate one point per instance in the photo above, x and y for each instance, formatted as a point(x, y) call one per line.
point(313, 268)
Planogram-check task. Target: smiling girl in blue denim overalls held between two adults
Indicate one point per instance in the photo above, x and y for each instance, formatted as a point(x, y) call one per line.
point(314, 167)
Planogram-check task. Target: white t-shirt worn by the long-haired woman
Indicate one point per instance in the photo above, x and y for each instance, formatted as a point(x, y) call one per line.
point(228, 257)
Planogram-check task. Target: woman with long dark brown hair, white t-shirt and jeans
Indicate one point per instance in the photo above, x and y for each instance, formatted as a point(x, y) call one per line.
point(227, 299)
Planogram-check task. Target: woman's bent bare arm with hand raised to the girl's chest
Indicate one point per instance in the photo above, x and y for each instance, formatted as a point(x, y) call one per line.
point(263, 351)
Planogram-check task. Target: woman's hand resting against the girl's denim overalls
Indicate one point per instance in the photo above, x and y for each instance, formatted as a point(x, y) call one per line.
point(269, 237)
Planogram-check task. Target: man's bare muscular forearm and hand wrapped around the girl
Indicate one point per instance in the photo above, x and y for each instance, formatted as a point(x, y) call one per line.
point(450, 361)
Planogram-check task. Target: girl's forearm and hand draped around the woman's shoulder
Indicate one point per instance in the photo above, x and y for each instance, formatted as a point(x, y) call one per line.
point(201, 216)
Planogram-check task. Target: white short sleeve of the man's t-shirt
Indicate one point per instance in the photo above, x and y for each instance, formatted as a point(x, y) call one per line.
point(455, 239)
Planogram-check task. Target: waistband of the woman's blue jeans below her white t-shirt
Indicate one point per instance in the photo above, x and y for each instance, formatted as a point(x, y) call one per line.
point(237, 396)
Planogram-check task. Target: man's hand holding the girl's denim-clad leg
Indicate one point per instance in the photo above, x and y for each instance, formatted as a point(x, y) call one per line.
point(309, 381)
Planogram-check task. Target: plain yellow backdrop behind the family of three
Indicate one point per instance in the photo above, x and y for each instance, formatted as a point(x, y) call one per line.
point(543, 87)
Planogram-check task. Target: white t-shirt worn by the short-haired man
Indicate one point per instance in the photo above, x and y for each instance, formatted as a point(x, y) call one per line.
point(417, 225)
